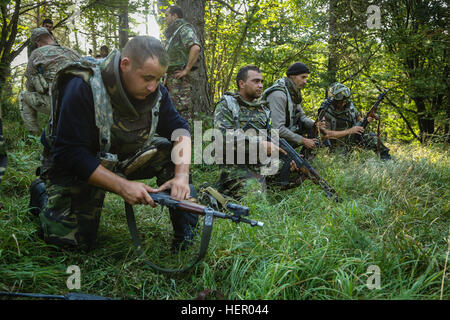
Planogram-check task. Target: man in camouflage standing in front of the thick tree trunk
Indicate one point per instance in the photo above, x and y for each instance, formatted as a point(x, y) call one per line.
point(183, 47)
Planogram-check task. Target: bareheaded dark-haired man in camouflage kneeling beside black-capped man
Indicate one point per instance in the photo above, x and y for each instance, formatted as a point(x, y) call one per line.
point(233, 111)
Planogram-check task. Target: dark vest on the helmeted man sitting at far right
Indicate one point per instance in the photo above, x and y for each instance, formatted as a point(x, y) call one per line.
point(339, 120)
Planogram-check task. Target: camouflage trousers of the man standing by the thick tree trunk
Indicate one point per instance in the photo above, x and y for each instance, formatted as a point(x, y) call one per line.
point(180, 92)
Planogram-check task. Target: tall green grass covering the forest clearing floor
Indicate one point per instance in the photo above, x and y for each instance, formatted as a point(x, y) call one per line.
point(394, 215)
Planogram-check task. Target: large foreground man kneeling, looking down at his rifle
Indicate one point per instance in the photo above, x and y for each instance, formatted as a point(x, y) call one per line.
point(111, 124)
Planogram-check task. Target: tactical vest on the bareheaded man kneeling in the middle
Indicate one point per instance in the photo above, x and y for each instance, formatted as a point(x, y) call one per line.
point(242, 115)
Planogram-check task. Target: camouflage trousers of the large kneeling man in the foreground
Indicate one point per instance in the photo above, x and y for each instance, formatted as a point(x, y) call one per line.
point(73, 210)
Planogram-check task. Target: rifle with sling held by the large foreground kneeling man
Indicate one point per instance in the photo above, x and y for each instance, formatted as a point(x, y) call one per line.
point(164, 199)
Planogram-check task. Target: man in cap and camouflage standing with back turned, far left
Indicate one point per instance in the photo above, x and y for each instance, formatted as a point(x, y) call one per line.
point(42, 66)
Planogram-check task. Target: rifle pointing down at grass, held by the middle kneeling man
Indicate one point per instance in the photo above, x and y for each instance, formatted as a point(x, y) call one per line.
point(301, 163)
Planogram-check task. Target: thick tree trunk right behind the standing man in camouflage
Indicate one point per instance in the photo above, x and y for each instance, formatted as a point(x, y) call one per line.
point(194, 13)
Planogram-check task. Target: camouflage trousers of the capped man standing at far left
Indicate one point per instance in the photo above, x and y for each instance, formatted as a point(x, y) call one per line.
point(30, 103)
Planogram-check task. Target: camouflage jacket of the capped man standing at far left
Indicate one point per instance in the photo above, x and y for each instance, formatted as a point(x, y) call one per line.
point(44, 63)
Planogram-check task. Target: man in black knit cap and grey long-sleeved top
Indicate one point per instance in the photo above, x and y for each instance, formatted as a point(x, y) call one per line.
point(285, 98)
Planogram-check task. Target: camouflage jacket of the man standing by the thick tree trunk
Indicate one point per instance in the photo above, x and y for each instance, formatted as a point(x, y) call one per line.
point(180, 37)
